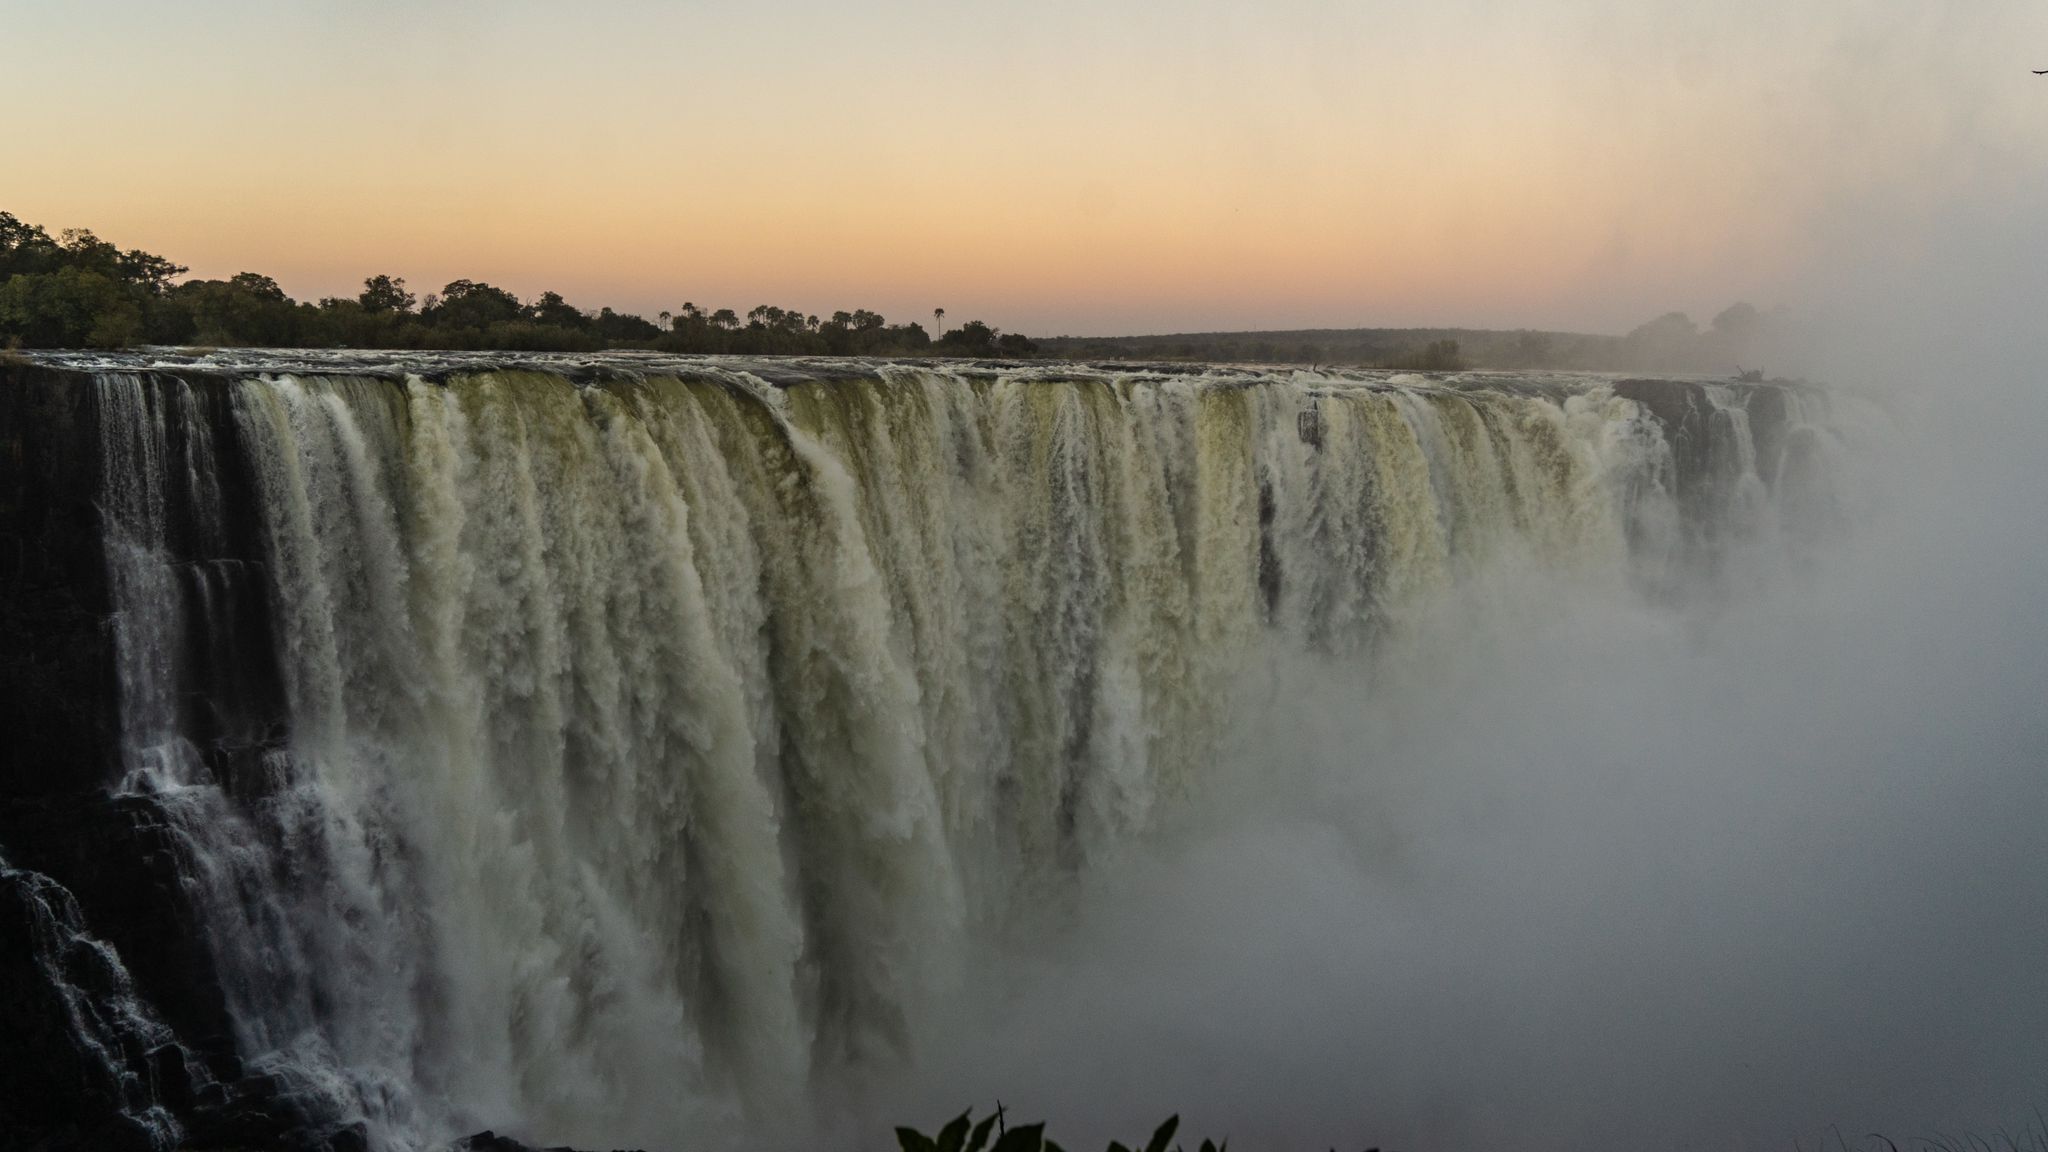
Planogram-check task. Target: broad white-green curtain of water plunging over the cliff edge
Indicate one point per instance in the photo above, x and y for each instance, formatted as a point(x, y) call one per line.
point(652, 739)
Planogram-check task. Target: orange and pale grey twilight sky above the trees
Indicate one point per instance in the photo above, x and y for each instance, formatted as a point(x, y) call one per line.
point(1052, 167)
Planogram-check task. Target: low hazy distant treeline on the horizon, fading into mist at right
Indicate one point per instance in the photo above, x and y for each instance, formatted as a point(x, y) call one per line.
point(1740, 337)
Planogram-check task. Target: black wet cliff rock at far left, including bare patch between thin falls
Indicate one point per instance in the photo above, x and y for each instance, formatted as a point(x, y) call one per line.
point(93, 911)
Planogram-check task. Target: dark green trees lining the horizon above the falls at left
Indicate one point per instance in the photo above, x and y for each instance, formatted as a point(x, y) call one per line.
point(81, 292)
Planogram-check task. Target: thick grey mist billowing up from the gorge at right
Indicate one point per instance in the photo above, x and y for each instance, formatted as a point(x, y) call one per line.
point(1578, 868)
